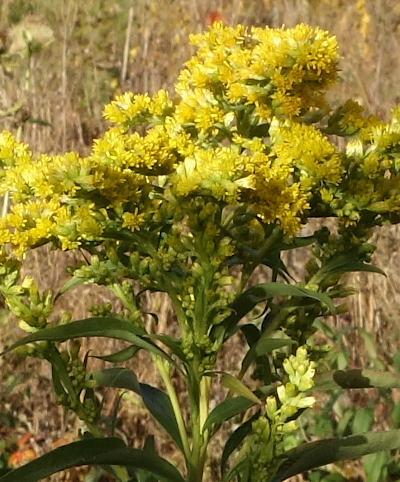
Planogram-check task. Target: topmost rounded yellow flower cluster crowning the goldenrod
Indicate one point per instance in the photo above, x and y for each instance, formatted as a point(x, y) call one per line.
point(280, 71)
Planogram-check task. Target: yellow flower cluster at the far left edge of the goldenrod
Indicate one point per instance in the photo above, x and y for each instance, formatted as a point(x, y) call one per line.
point(60, 198)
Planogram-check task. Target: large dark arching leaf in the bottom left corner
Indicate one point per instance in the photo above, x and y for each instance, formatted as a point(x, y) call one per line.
point(94, 451)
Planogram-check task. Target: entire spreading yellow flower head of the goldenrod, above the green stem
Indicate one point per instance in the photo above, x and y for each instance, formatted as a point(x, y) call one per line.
point(249, 126)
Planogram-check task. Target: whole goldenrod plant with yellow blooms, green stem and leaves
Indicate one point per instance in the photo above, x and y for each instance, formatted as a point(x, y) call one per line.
point(188, 195)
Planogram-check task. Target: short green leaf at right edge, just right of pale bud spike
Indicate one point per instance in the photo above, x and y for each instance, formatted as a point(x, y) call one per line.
point(356, 378)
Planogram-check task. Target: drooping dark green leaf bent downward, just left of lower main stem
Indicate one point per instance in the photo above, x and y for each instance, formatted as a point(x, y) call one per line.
point(156, 401)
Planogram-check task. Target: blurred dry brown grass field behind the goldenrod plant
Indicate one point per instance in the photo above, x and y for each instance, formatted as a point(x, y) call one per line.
point(62, 60)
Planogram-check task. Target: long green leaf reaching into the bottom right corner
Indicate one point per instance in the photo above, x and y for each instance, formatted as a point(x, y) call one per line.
point(316, 454)
